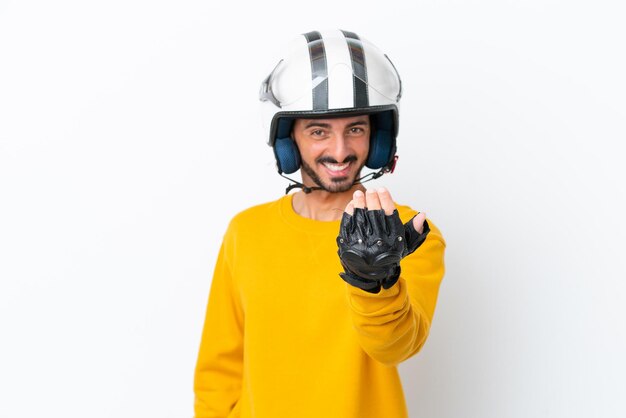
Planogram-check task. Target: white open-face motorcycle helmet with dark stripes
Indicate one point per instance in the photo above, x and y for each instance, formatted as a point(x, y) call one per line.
point(332, 74)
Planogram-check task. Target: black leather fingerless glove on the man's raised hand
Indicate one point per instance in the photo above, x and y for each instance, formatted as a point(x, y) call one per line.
point(371, 245)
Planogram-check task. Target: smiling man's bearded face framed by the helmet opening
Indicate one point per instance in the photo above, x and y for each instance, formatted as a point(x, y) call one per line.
point(333, 150)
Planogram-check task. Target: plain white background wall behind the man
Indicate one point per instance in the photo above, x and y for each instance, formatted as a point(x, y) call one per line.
point(130, 135)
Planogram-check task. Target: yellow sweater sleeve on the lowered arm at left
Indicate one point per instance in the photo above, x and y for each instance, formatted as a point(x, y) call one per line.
point(218, 374)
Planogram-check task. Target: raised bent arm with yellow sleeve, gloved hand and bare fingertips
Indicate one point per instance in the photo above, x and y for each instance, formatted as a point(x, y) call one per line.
point(391, 295)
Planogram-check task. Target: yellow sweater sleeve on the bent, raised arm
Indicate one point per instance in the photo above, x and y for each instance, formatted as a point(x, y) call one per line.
point(393, 324)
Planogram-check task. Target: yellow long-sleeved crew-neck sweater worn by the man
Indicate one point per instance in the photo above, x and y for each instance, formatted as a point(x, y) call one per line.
point(286, 337)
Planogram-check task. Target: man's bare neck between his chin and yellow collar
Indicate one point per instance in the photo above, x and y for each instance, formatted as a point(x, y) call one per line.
point(321, 205)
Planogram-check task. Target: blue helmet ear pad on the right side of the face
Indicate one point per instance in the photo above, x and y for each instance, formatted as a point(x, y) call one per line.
point(382, 140)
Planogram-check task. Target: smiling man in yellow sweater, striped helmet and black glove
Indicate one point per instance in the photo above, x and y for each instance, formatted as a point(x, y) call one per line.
point(284, 335)
